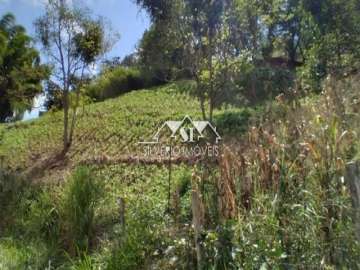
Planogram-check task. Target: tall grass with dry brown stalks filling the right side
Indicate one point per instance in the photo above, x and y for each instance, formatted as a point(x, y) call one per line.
point(294, 207)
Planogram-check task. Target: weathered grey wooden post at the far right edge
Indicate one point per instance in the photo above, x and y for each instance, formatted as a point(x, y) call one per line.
point(352, 178)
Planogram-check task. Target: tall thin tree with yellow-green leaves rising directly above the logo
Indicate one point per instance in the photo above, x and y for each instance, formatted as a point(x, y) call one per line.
point(213, 47)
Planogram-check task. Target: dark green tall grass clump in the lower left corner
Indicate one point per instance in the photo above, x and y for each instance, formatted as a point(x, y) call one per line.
point(53, 220)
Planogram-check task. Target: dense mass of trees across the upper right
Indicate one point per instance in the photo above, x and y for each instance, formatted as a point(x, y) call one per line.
point(205, 41)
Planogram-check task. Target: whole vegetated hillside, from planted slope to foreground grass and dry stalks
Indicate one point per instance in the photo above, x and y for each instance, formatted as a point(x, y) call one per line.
point(278, 188)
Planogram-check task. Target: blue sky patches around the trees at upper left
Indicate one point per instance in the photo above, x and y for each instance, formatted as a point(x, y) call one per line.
point(124, 16)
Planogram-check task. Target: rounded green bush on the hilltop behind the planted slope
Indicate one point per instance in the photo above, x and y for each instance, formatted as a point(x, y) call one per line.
point(113, 83)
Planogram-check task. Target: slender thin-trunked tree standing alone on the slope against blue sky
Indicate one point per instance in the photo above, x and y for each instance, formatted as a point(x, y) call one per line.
point(73, 41)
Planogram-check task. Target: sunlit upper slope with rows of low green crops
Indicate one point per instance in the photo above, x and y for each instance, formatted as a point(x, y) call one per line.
point(110, 128)
